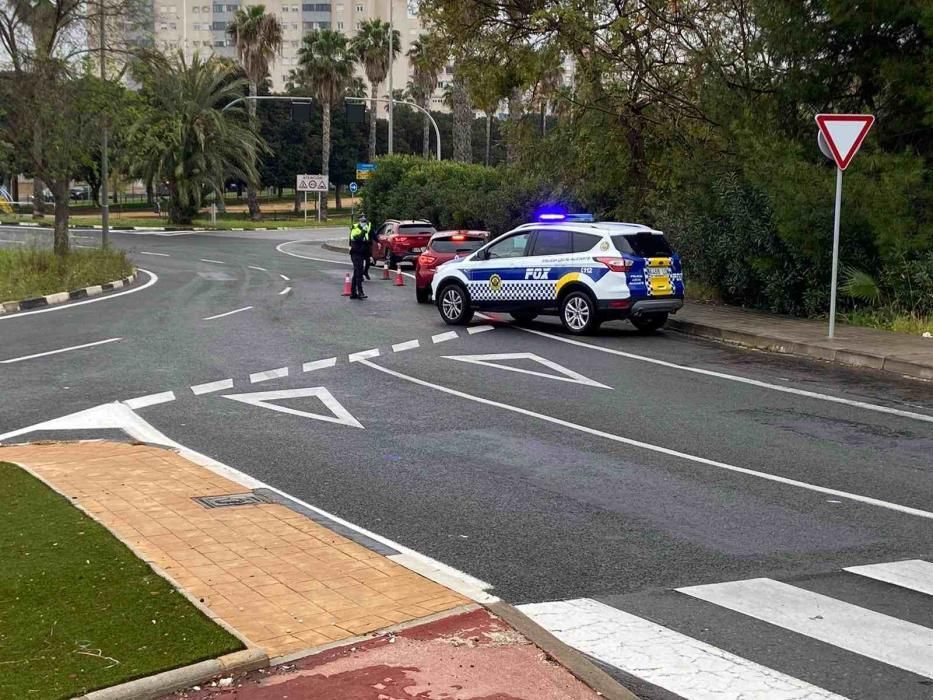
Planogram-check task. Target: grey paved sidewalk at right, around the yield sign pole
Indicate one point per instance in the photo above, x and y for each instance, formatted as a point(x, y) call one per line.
point(906, 355)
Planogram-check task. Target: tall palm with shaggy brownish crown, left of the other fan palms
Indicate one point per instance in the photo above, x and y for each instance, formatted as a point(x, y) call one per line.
point(258, 38)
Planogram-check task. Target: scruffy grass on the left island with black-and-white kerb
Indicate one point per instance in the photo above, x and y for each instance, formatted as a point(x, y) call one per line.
point(36, 272)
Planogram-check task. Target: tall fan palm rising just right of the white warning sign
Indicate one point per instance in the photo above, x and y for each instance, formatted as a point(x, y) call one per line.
point(325, 66)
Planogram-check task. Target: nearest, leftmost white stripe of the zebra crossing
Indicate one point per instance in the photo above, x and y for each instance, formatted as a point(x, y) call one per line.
point(687, 667)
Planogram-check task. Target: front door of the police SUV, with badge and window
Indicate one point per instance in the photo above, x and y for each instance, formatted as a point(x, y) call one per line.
point(496, 278)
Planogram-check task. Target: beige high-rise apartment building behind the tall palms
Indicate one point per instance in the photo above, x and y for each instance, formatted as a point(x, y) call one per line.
point(200, 25)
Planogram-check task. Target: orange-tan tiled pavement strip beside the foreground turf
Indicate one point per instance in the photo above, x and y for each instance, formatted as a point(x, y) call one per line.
point(283, 581)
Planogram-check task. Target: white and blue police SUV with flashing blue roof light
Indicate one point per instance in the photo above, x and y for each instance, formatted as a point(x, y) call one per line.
point(583, 271)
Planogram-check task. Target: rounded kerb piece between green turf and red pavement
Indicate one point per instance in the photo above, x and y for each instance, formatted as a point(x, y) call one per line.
point(167, 682)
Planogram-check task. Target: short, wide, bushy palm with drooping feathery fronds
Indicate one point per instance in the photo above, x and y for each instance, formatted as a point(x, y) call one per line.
point(192, 145)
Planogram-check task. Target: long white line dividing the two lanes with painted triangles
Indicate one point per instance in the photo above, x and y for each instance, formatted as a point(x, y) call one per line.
point(657, 448)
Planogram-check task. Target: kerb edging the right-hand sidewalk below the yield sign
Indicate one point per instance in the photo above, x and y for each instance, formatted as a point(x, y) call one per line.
point(851, 358)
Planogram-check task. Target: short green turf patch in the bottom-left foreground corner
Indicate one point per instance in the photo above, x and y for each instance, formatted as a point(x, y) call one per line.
point(74, 601)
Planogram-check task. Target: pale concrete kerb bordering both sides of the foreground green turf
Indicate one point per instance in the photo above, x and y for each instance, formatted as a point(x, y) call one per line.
point(160, 684)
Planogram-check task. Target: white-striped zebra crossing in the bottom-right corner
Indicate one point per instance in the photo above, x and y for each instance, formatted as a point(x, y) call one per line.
point(845, 634)
